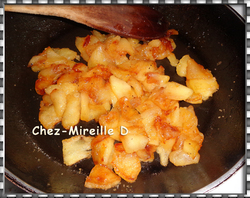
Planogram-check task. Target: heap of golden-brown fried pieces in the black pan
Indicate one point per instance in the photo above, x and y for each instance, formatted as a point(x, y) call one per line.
point(120, 86)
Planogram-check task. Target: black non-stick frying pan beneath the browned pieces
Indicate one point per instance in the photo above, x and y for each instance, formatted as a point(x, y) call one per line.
point(212, 34)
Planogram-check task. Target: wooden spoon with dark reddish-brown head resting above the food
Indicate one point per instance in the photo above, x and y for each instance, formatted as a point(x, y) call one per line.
point(136, 21)
